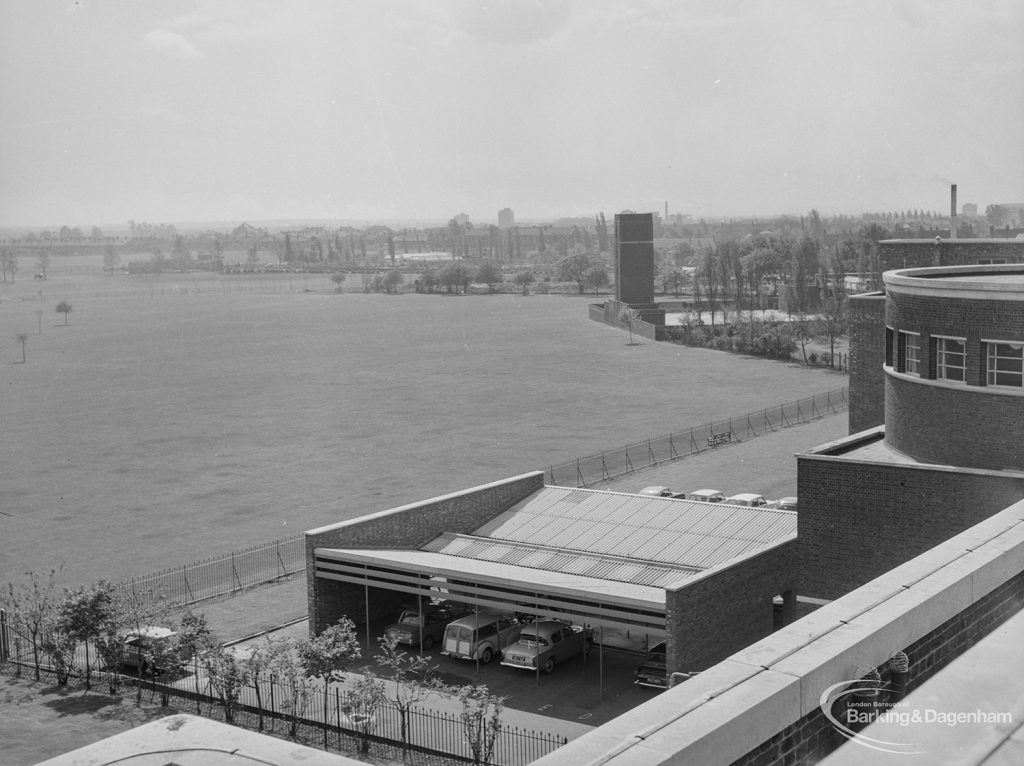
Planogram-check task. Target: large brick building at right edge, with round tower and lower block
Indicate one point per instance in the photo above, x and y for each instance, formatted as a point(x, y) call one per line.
point(937, 359)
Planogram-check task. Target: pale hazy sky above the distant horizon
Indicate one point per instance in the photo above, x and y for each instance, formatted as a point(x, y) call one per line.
point(418, 110)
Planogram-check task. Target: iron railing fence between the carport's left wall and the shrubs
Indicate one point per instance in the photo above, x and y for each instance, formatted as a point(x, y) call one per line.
point(221, 576)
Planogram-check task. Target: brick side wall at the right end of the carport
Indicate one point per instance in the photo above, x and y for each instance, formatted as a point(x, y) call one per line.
point(719, 613)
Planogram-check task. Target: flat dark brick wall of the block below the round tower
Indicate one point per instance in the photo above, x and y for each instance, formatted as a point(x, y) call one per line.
point(860, 520)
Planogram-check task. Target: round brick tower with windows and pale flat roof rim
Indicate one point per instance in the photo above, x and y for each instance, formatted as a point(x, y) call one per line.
point(955, 365)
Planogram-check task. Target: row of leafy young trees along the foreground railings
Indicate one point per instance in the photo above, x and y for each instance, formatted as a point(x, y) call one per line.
point(57, 623)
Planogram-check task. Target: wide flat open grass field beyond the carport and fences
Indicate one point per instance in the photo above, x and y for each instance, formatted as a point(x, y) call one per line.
point(180, 418)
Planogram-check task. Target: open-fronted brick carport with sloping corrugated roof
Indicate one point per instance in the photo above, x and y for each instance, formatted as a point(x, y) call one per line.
point(706, 578)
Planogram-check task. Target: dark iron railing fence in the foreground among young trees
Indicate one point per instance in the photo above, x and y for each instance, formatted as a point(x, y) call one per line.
point(431, 732)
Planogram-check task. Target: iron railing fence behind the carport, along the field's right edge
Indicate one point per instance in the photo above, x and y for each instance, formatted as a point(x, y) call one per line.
point(608, 465)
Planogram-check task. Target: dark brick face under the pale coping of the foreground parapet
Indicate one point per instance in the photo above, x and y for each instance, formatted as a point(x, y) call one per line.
point(814, 737)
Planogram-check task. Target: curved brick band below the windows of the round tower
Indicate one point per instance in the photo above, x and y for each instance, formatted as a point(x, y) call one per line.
point(955, 424)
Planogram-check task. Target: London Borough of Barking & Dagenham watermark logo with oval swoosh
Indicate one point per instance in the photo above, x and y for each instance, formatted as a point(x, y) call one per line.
point(850, 706)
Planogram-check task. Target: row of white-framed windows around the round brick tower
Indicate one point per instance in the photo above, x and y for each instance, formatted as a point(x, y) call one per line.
point(1004, 360)
